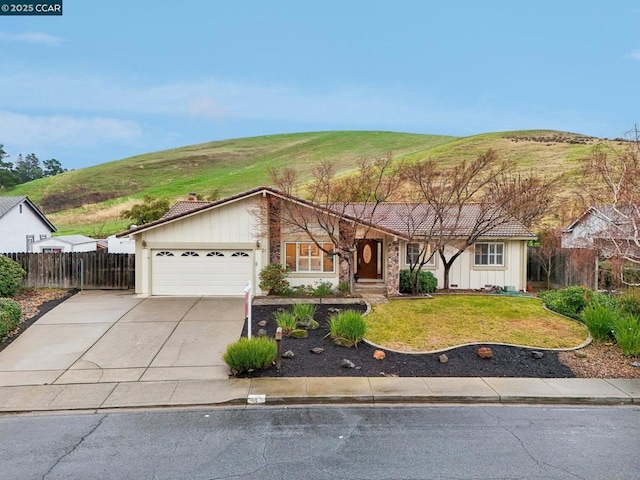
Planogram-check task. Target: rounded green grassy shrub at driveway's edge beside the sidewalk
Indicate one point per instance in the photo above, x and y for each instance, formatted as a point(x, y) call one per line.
point(250, 354)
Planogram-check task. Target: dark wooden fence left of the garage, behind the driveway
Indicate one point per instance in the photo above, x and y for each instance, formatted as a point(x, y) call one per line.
point(85, 270)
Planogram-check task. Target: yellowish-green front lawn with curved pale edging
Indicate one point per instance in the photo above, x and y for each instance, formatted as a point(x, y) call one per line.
point(449, 320)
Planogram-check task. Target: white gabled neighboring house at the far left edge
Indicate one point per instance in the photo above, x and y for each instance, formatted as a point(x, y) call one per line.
point(21, 224)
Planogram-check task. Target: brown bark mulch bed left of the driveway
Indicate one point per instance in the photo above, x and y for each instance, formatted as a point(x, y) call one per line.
point(34, 303)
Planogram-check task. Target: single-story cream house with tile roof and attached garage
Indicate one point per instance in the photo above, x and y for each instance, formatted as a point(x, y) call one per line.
point(216, 247)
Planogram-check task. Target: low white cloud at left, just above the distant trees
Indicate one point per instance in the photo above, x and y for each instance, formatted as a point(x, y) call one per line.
point(29, 132)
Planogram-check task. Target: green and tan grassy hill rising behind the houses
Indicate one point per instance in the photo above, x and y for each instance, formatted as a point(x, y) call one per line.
point(89, 200)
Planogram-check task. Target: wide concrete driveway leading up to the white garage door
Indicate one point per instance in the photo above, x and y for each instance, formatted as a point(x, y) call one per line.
point(112, 336)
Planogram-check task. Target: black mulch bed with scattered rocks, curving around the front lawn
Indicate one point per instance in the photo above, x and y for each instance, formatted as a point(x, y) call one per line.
point(463, 361)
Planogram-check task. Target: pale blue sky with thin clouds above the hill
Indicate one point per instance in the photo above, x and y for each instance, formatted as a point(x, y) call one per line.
point(111, 79)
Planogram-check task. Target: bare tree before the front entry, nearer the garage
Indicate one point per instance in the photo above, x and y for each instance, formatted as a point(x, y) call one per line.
point(330, 210)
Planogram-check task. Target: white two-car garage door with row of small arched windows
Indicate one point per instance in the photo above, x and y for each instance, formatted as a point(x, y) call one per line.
point(200, 272)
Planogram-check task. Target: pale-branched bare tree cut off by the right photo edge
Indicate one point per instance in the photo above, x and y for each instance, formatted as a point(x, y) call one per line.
point(612, 184)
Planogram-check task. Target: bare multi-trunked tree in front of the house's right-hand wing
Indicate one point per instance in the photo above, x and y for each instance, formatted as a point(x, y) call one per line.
point(456, 207)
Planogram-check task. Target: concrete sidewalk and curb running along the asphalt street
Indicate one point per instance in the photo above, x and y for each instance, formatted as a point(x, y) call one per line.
point(295, 391)
